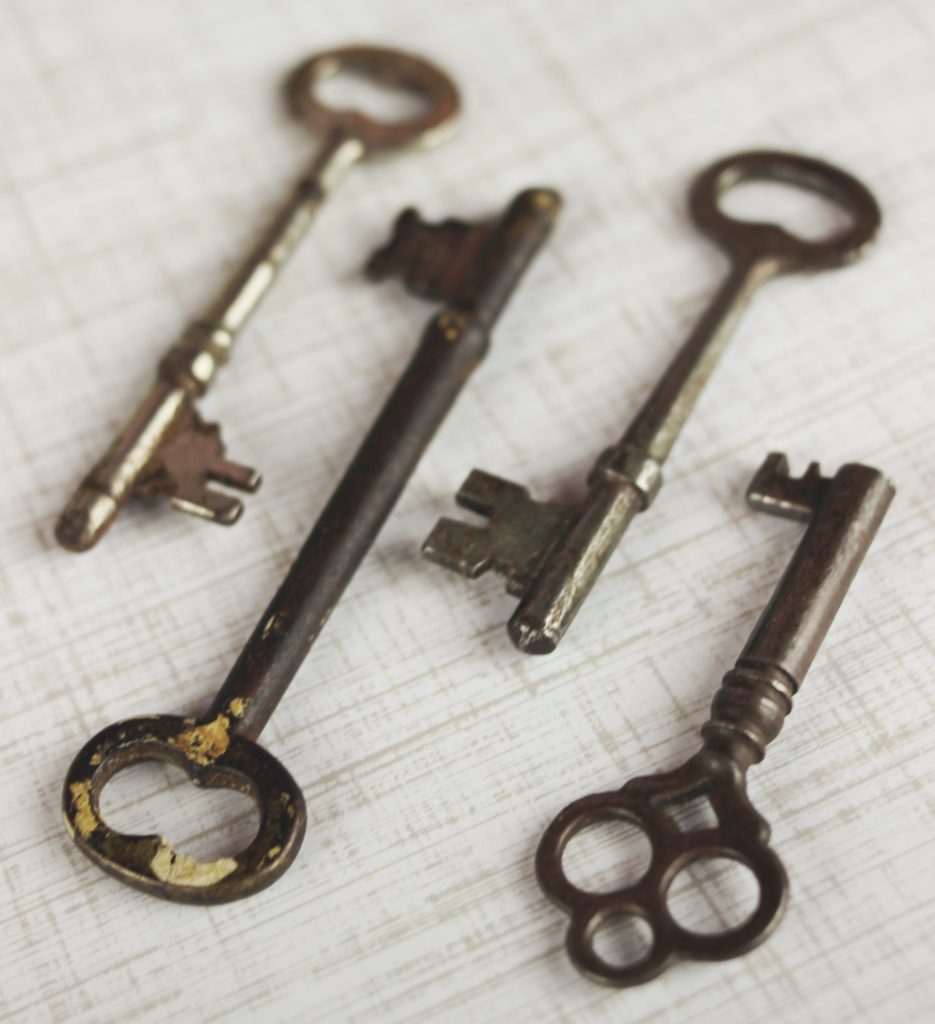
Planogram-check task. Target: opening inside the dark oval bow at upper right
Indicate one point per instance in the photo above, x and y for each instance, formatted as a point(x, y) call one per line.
point(803, 212)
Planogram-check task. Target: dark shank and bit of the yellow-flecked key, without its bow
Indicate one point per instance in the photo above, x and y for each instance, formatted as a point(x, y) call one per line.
point(488, 265)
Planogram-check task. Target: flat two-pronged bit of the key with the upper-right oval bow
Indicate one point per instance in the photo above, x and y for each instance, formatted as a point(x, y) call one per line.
point(521, 536)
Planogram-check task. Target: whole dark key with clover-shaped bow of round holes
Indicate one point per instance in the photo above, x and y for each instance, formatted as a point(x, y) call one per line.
point(843, 516)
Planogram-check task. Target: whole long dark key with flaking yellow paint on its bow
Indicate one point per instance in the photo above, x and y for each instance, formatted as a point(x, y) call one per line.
point(473, 272)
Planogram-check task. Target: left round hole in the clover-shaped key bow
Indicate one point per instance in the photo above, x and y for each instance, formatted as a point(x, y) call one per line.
point(607, 856)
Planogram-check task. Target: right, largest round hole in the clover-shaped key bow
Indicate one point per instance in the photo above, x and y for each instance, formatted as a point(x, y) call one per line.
point(712, 895)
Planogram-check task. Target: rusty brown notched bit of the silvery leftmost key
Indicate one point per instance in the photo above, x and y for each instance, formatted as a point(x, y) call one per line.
point(187, 462)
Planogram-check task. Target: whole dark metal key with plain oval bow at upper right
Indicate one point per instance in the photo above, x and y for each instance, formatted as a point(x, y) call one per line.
point(552, 554)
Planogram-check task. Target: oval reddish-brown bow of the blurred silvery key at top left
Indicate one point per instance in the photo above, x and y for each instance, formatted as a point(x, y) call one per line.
point(391, 68)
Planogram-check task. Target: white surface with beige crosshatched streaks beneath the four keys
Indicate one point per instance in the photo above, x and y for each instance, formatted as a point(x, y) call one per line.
point(142, 146)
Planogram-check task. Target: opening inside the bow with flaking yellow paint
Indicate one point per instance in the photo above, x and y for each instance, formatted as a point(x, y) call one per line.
point(154, 797)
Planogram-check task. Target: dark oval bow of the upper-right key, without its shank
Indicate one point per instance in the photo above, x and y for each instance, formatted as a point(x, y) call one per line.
point(761, 241)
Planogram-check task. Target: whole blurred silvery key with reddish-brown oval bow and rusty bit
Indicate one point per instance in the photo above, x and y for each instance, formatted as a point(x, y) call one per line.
point(166, 448)
